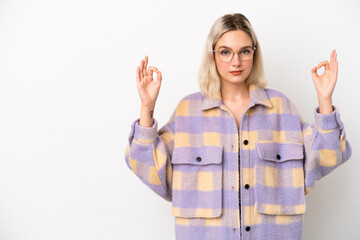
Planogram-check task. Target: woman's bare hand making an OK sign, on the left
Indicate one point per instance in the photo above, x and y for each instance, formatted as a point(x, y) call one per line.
point(148, 89)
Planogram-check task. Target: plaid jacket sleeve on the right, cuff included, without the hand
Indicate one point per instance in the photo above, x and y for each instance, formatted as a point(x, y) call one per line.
point(325, 146)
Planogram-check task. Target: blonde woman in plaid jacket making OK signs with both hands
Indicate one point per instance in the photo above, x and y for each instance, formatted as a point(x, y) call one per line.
point(236, 159)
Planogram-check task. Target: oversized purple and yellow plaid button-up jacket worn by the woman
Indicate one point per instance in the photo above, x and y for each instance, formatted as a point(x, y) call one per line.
point(201, 163)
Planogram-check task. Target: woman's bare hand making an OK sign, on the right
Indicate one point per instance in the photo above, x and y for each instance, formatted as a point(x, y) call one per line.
point(325, 83)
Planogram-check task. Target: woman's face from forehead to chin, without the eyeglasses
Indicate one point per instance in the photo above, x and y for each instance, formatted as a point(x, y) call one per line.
point(235, 41)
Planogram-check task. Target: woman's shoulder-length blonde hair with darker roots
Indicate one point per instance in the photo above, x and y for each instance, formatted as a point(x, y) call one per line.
point(209, 78)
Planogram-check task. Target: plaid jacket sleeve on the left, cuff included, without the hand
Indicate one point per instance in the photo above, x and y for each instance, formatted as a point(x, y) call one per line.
point(148, 155)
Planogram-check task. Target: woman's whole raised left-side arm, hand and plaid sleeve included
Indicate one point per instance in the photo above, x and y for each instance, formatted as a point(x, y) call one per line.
point(149, 152)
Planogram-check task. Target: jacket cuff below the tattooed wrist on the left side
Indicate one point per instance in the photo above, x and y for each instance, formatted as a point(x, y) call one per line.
point(143, 134)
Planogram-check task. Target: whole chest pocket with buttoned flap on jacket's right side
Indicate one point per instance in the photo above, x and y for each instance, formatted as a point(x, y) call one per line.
point(279, 176)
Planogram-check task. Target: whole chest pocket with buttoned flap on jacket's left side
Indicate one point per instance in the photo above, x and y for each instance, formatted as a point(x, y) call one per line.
point(197, 182)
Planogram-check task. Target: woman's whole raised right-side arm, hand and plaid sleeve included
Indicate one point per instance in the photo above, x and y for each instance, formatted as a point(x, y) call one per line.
point(325, 142)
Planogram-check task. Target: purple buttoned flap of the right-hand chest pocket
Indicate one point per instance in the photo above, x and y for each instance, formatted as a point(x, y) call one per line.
point(279, 152)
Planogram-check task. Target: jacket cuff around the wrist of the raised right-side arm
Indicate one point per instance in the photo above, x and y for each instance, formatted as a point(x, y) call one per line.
point(328, 121)
